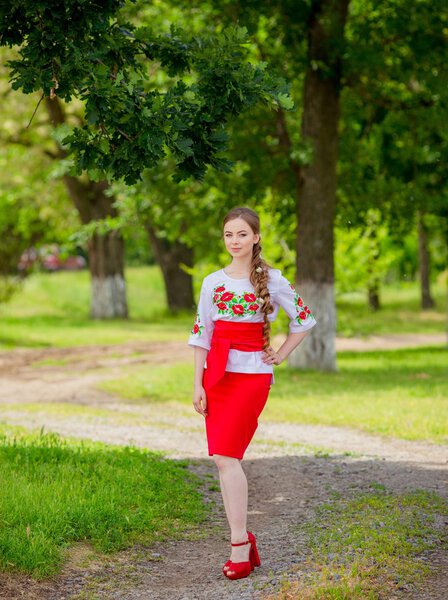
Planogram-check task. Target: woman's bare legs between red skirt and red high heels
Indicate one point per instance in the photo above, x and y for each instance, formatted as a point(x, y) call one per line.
point(234, 493)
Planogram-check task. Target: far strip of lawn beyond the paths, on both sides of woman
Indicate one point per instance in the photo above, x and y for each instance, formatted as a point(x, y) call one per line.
point(53, 310)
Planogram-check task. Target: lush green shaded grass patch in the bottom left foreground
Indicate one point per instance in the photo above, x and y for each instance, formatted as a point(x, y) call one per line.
point(57, 491)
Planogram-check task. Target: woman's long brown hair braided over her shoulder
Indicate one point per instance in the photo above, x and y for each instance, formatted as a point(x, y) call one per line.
point(259, 279)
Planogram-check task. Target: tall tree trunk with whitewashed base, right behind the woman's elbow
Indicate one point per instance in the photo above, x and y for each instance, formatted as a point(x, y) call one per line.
point(316, 187)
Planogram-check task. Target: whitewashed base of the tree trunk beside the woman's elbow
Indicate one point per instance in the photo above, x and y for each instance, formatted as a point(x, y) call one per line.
point(318, 350)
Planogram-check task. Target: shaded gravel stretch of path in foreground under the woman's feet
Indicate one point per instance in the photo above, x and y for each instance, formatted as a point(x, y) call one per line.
point(284, 493)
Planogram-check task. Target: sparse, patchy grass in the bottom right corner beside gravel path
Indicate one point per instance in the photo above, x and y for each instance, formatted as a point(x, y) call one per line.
point(368, 546)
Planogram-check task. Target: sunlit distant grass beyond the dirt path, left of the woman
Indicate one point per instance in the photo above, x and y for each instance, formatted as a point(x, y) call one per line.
point(53, 310)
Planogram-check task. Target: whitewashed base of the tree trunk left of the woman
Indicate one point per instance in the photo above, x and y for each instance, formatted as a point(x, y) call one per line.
point(108, 299)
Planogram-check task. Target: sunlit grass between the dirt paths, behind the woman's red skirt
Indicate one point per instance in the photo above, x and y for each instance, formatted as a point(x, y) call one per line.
point(400, 393)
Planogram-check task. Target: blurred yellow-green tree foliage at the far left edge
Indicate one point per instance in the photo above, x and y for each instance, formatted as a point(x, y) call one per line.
point(34, 209)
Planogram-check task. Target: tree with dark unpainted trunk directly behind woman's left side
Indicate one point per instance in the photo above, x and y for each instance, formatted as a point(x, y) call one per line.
point(181, 221)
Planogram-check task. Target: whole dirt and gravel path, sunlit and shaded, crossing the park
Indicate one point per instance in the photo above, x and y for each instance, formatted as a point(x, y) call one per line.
point(287, 480)
